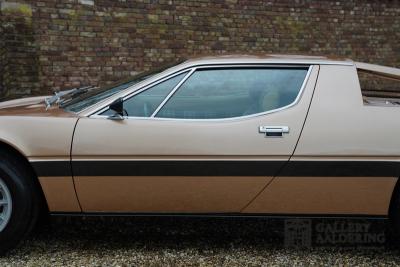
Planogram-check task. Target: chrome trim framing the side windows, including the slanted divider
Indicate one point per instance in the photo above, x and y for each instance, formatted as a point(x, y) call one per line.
point(191, 70)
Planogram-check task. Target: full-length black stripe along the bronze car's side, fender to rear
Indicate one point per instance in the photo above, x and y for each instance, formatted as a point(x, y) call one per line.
point(219, 168)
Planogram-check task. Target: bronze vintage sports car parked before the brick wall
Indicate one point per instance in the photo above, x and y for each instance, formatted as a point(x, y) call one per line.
point(229, 135)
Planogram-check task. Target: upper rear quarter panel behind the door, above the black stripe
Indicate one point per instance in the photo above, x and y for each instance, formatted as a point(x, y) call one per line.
point(339, 124)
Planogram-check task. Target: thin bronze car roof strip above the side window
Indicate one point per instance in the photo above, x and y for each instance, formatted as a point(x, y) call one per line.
point(268, 58)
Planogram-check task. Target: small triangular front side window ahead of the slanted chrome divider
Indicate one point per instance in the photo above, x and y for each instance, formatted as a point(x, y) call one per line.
point(145, 103)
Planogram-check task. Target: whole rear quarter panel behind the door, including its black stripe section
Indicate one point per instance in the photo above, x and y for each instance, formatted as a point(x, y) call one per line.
point(347, 160)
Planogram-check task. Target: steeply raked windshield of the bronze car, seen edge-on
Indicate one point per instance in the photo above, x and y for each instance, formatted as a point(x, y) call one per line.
point(92, 97)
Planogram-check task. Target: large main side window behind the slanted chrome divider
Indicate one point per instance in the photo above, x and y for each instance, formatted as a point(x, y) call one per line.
point(234, 92)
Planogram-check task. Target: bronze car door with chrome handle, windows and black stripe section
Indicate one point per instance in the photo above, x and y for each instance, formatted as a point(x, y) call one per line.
point(203, 140)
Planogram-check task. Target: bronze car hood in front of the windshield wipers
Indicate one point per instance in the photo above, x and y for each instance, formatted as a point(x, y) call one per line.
point(31, 106)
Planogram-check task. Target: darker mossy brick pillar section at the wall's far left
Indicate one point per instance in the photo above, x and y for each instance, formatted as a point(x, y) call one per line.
point(19, 68)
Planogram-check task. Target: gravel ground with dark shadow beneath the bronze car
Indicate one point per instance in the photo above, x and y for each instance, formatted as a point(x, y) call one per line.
point(107, 241)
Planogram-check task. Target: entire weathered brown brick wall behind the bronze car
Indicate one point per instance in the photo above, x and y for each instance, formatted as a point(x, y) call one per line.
point(59, 44)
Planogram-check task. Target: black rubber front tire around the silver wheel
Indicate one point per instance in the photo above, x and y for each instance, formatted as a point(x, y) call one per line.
point(20, 182)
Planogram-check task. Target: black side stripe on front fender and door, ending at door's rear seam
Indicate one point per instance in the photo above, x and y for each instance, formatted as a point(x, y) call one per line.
point(159, 168)
